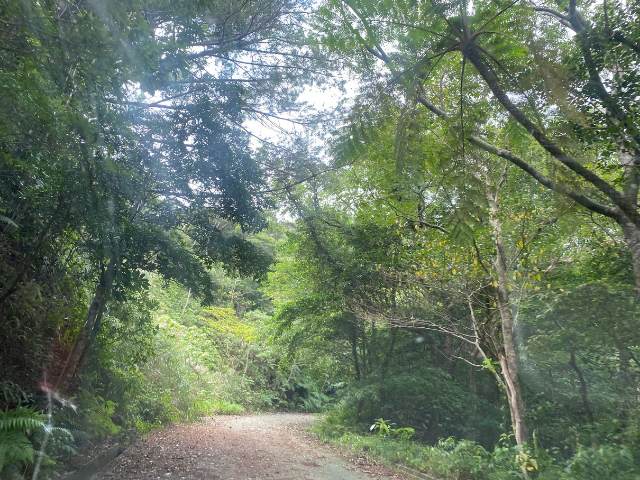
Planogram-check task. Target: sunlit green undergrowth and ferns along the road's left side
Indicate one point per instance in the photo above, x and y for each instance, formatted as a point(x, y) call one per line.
point(157, 360)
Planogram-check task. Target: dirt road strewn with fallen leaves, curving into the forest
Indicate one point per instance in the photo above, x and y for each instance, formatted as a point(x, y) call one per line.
point(247, 447)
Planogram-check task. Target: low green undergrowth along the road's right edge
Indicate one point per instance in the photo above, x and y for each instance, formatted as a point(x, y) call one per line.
point(452, 459)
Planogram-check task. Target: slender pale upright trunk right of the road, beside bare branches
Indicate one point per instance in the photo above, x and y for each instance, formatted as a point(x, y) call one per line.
point(508, 359)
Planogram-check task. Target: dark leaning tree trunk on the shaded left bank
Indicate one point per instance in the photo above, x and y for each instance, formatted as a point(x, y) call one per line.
point(74, 363)
